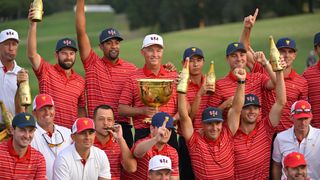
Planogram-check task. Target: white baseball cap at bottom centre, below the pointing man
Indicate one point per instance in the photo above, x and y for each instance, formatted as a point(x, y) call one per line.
point(160, 162)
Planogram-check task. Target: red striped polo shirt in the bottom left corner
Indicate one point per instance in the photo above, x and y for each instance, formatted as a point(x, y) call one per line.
point(31, 166)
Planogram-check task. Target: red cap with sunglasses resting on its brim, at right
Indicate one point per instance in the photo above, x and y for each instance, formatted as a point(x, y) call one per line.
point(301, 109)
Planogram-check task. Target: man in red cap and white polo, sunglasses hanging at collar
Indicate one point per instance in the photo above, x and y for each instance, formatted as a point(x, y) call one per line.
point(49, 138)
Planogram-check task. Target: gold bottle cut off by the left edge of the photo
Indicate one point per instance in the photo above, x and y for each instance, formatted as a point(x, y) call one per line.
point(7, 119)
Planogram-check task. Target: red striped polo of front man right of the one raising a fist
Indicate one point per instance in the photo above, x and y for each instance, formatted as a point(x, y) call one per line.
point(252, 151)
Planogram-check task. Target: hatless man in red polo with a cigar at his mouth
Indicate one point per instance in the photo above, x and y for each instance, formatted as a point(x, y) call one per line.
point(109, 139)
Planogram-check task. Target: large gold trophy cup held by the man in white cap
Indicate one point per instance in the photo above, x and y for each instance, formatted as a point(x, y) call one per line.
point(155, 92)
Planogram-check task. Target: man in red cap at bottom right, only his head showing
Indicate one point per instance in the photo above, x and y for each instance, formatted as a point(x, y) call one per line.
point(295, 166)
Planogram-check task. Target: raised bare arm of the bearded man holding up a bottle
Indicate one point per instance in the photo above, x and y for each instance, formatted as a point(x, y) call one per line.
point(32, 53)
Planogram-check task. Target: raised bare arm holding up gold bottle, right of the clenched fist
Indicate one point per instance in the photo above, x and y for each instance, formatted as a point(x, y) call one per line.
point(281, 99)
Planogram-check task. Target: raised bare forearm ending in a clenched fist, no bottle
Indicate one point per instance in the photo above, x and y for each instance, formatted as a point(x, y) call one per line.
point(238, 101)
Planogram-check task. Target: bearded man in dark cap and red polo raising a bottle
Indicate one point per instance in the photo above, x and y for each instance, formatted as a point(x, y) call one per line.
point(60, 81)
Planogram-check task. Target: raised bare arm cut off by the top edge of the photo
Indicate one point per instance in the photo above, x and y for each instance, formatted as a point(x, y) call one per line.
point(82, 37)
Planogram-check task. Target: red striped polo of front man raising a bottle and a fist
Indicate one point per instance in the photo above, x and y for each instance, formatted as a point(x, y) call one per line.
point(212, 159)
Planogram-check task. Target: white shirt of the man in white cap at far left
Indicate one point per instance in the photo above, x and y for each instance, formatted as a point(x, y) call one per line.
point(8, 87)
